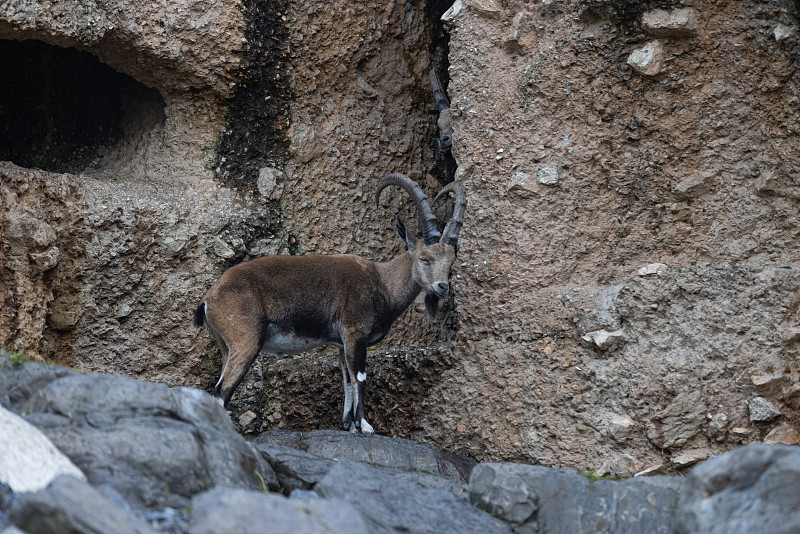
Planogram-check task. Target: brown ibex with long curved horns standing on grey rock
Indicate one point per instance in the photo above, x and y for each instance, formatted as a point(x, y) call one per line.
point(294, 303)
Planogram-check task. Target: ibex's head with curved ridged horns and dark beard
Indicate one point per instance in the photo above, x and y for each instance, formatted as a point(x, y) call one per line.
point(434, 253)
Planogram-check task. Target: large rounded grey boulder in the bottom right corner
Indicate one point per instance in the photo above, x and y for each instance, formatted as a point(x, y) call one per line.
point(751, 490)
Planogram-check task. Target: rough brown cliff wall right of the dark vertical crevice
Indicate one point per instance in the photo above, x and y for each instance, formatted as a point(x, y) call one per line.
point(694, 167)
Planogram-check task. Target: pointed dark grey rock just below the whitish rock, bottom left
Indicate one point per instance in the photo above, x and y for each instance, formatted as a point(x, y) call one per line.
point(69, 506)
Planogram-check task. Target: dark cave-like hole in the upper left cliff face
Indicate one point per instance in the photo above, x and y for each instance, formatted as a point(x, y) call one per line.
point(62, 110)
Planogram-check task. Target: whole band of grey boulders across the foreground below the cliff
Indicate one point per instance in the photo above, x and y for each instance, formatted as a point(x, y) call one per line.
point(91, 453)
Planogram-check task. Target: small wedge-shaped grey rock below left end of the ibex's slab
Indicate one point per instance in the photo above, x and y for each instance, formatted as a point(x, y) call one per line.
point(294, 468)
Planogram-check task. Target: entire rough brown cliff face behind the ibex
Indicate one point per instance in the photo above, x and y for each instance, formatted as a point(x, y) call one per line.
point(625, 297)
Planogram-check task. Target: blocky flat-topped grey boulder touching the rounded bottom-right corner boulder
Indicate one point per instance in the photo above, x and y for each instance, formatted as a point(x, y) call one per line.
point(534, 498)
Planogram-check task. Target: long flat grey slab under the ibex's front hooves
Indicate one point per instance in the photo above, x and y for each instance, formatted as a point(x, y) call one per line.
point(373, 449)
